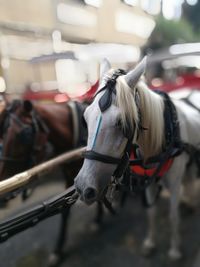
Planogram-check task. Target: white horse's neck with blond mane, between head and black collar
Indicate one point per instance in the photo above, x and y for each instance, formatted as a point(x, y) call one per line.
point(151, 140)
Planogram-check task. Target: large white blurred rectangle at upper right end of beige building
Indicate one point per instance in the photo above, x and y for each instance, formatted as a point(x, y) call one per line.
point(129, 22)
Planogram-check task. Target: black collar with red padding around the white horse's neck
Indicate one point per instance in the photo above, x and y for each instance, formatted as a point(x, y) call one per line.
point(154, 168)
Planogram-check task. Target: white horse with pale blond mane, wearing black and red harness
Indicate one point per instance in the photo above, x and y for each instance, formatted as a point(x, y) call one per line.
point(132, 103)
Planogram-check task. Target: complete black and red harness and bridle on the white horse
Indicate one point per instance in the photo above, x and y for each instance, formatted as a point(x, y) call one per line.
point(132, 173)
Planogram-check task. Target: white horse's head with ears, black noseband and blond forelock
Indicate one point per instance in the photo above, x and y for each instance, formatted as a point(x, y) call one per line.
point(111, 128)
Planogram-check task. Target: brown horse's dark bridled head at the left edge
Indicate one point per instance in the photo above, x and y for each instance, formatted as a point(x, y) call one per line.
point(23, 138)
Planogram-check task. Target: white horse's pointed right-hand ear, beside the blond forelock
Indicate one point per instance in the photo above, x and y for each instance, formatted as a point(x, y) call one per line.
point(134, 75)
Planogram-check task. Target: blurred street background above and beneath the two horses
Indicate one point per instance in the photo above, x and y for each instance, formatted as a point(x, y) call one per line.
point(50, 51)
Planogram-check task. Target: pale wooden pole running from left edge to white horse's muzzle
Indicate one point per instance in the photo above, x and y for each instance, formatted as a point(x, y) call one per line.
point(25, 177)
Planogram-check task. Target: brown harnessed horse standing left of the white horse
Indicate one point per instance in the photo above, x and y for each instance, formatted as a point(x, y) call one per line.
point(26, 129)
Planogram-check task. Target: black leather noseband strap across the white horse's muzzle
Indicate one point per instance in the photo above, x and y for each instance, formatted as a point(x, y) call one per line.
point(92, 155)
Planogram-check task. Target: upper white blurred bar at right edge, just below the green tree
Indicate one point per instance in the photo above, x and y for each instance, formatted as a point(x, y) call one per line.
point(184, 48)
